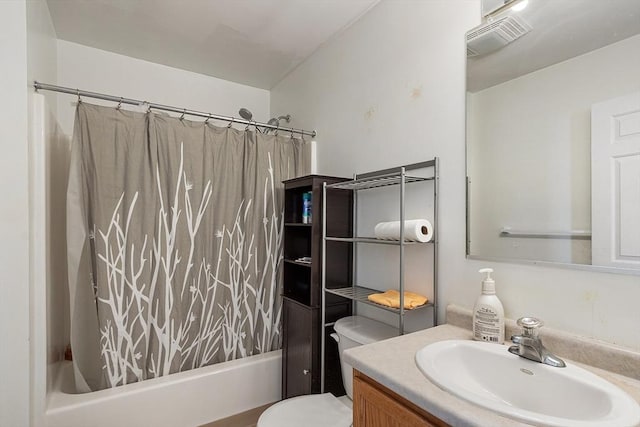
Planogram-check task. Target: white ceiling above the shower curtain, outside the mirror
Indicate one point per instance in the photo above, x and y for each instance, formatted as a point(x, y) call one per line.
point(253, 42)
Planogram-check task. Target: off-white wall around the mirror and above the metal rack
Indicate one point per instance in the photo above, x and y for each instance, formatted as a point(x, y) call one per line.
point(398, 75)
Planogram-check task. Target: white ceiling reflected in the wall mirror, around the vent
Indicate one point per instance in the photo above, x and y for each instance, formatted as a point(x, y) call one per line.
point(562, 29)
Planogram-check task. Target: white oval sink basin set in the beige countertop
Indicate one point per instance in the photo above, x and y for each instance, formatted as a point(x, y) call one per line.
point(491, 377)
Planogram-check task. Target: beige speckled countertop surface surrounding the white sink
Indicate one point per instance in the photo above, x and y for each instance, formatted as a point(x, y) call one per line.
point(391, 363)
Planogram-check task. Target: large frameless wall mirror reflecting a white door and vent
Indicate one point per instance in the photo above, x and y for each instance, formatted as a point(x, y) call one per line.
point(553, 134)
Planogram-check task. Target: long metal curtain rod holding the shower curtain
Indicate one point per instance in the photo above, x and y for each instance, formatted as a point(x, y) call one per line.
point(120, 100)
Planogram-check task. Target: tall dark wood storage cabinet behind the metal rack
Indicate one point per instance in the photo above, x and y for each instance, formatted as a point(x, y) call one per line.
point(302, 286)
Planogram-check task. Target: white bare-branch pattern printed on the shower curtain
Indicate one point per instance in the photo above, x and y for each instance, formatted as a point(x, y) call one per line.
point(149, 333)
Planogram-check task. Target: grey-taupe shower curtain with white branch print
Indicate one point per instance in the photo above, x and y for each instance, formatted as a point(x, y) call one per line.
point(174, 233)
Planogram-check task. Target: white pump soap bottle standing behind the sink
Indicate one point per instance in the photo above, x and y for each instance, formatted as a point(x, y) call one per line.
point(488, 313)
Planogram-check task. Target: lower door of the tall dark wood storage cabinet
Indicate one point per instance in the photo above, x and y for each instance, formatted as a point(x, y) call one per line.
point(297, 349)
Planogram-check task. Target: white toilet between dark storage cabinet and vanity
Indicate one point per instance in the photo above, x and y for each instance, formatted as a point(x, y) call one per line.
point(326, 410)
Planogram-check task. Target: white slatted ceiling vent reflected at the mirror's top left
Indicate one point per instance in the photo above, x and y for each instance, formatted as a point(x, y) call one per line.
point(495, 35)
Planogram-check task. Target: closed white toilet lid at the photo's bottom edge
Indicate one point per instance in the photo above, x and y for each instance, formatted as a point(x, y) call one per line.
point(315, 410)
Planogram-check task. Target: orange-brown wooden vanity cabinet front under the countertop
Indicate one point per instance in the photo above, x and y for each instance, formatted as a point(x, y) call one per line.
point(374, 405)
